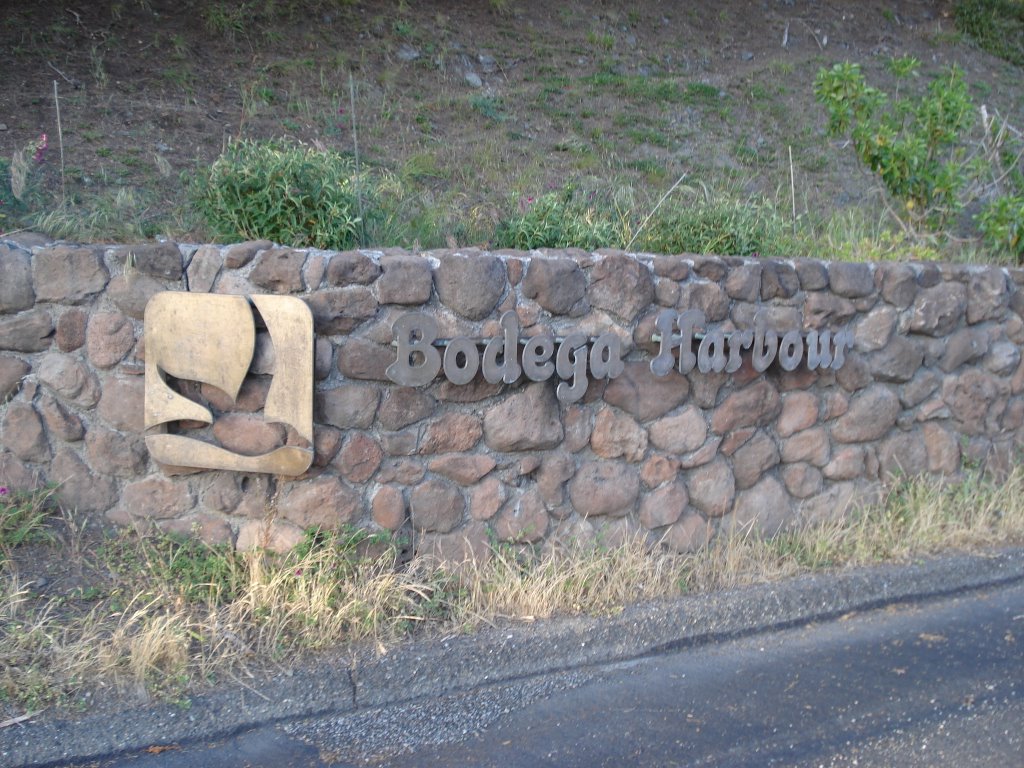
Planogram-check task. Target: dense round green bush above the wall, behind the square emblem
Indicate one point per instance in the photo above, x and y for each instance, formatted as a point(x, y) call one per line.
point(283, 192)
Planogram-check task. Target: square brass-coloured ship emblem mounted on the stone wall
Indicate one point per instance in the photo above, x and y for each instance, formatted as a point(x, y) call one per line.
point(211, 339)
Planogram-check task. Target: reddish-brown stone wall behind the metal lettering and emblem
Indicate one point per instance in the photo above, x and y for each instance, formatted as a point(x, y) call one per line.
point(933, 381)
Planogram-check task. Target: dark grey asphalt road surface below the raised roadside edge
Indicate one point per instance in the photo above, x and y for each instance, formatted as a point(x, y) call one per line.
point(940, 684)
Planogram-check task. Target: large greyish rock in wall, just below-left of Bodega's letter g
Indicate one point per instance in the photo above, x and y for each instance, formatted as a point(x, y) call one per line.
point(526, 421)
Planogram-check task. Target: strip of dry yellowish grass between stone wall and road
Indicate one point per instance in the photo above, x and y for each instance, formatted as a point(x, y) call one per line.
point(180, 615)
